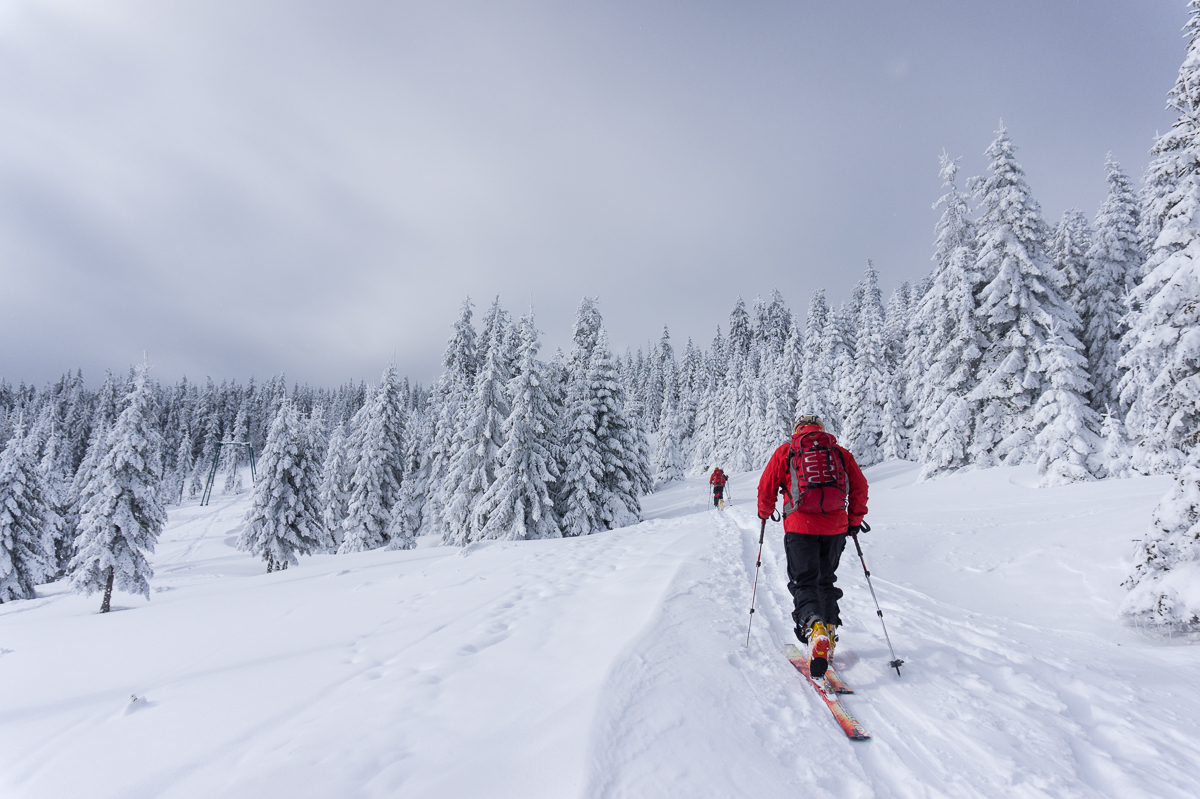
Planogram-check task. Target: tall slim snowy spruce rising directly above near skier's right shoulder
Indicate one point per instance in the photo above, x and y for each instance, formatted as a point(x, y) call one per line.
point(863, 431)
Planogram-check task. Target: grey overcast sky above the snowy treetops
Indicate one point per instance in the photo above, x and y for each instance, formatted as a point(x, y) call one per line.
point(250, 188)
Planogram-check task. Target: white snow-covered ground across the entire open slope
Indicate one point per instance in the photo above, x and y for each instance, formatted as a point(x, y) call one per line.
point(615, 665)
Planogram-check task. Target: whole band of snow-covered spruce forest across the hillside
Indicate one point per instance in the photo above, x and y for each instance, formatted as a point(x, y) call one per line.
point(1073, 347)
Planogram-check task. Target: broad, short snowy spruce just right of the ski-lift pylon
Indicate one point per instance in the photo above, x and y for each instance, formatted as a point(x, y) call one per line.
point(285, 515)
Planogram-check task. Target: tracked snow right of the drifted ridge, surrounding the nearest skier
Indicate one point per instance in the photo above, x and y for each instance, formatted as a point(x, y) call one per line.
point(1021, 681)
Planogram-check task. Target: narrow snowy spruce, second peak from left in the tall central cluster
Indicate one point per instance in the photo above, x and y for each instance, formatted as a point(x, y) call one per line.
point(478, 442)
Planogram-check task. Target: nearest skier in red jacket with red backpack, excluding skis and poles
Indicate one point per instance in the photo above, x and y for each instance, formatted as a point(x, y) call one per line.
point(825, 500)
